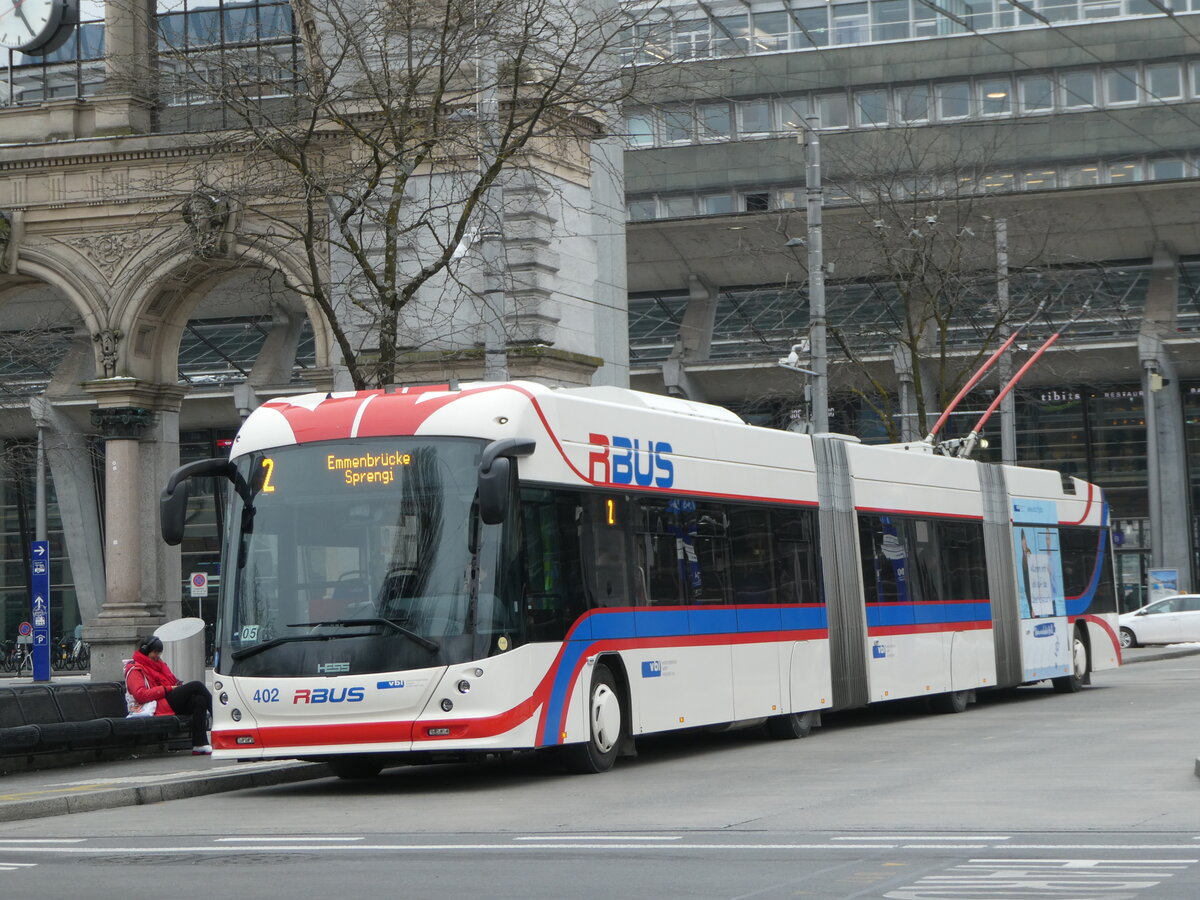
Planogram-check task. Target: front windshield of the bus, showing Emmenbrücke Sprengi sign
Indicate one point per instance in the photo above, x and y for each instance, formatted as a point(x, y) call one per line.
point(362, 557)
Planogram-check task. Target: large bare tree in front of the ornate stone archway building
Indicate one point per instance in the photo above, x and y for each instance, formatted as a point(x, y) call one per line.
point(381, 158)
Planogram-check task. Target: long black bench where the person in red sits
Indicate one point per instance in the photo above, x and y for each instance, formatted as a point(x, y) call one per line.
point(65, 724)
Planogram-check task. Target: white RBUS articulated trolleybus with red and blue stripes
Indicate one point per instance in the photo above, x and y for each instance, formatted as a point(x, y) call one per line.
point(431, 573)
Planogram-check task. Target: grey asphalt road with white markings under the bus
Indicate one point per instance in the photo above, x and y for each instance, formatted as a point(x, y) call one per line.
point(1027, 795)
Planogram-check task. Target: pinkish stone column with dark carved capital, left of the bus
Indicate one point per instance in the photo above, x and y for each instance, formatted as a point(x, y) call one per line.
point(139, 423)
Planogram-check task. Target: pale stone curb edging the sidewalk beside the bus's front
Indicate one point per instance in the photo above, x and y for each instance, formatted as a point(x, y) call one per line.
point(176, 790)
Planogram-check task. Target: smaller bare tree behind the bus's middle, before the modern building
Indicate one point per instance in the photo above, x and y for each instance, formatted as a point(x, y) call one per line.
point(916, 248)
